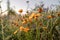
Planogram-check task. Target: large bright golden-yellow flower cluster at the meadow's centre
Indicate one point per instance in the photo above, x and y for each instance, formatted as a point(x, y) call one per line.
point(32, 16)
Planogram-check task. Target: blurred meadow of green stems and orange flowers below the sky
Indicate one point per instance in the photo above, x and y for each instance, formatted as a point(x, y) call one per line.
point(35, 25)
